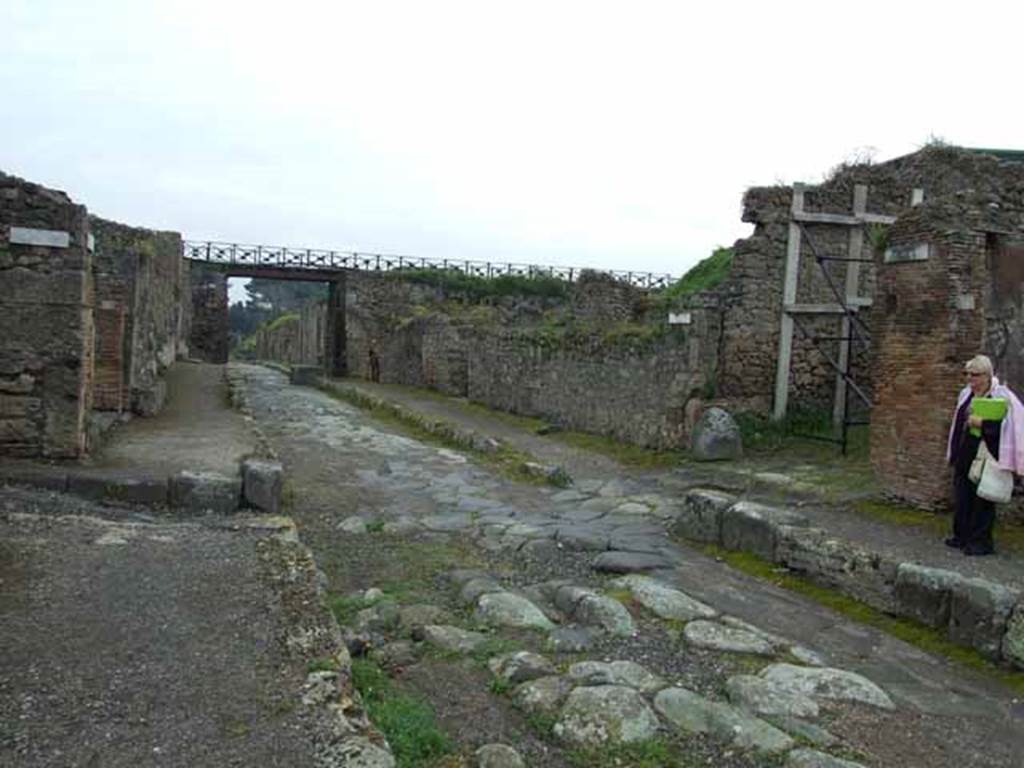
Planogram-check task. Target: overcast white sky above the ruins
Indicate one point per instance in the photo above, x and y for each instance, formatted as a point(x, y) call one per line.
point(617, 136)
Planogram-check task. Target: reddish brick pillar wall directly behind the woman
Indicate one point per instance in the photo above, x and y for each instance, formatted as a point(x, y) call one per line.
point(950, 287)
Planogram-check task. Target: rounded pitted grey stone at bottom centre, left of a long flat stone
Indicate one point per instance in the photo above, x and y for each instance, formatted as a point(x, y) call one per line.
point(606, 714)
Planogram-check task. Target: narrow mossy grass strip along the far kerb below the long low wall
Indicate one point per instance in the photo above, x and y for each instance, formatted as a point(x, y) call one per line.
point(507, 461)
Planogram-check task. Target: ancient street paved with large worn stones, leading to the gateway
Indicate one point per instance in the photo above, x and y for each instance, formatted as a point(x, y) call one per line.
point(548, 571)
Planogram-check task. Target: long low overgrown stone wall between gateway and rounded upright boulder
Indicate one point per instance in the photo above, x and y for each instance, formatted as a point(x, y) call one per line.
point(604, 368)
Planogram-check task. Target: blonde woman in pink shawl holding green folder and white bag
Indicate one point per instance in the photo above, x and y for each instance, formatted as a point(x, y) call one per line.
point(974, 517)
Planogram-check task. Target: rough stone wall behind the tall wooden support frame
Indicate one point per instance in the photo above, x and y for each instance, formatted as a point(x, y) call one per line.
point(753, 294)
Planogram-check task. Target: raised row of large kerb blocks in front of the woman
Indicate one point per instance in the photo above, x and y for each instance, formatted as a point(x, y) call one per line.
point(974, 613)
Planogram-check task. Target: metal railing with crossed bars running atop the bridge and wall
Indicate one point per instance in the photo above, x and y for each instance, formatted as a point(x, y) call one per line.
point(318, 260)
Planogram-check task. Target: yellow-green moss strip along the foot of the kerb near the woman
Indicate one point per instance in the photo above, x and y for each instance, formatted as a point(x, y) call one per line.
point(926, 638)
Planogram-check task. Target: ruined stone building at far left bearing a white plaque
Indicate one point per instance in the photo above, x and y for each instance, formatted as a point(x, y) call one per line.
point(92, 315)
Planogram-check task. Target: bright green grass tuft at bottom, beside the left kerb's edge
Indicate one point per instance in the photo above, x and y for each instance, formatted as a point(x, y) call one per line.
point(408, 722)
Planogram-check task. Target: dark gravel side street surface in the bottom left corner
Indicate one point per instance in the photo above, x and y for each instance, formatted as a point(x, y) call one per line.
point(127, 642)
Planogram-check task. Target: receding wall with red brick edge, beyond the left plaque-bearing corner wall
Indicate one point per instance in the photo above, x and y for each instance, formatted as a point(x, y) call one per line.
point(141, 283)
